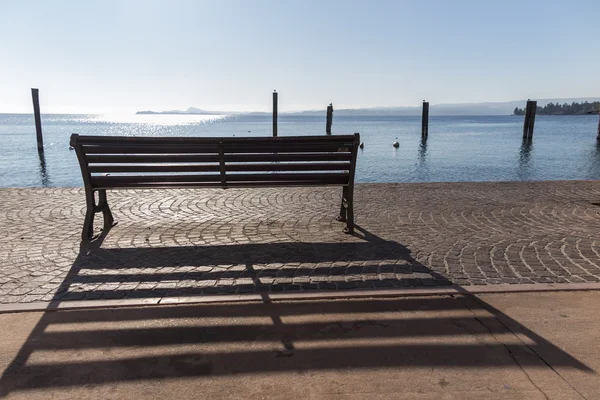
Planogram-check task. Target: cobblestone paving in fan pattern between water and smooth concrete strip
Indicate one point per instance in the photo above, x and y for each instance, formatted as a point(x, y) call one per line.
point(195, 242)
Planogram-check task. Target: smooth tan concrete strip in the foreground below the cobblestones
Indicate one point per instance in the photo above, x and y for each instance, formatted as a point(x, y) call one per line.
point(504, 346)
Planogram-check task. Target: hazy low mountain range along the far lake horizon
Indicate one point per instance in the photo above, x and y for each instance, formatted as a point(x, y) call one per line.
point(486, 108)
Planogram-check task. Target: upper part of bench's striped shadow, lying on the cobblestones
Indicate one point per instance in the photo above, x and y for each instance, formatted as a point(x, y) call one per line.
point(242, 268)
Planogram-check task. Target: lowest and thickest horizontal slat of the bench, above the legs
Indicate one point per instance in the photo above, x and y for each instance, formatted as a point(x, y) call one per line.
point(123, 181)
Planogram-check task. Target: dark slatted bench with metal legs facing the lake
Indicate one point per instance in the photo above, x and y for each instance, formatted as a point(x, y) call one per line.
point(118, 162)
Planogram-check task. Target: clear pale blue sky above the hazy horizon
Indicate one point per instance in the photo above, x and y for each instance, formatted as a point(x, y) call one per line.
point(104, 56)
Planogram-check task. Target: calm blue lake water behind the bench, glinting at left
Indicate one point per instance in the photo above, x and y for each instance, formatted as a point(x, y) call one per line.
point(479, 148)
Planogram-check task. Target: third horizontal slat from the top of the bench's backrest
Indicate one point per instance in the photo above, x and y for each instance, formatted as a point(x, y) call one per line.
point(191, 158)
